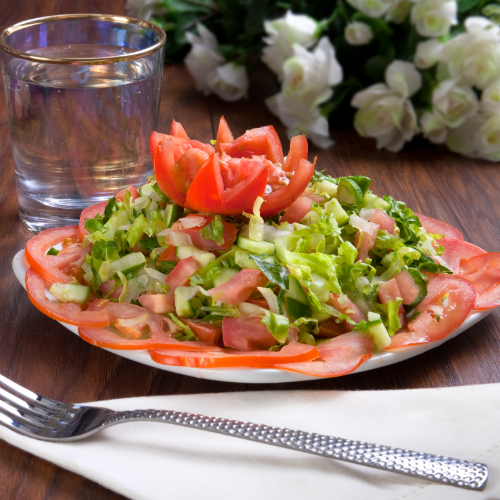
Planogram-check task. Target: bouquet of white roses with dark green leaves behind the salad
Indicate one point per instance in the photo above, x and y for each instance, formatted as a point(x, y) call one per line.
point(395, 68)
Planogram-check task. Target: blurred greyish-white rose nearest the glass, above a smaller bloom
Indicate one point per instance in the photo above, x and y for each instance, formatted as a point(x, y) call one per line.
point(204, 57)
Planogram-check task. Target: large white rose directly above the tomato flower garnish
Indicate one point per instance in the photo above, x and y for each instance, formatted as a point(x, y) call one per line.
point(308, 78)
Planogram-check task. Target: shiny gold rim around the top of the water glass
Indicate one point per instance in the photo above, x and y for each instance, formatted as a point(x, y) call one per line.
point(83, 60)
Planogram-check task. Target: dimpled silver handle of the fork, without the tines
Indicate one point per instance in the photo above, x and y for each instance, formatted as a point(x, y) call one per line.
point(451, 471)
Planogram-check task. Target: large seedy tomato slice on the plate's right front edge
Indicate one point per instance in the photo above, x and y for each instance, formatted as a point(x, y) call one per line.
point(447, 304)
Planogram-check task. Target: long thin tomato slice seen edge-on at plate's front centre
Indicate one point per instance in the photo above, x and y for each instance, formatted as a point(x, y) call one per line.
point(291, 353)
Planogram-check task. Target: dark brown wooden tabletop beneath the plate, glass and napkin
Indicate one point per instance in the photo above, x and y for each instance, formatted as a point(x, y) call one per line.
point(38, 353)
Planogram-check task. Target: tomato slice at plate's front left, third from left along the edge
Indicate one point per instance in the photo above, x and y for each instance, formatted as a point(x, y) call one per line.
point(134, 321)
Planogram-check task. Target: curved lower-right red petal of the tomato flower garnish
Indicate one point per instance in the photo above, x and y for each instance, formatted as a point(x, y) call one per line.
point(281, 199)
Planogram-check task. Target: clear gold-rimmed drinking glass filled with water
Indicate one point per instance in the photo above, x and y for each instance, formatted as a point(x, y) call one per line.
point(83, 94)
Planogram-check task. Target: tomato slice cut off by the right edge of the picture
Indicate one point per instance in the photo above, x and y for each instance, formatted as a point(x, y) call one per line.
point(483, 271)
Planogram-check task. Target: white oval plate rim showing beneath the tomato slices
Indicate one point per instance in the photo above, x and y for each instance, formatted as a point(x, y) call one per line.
point(261, 375)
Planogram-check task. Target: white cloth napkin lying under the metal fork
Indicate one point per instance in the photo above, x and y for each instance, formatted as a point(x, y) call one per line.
point(155, 461)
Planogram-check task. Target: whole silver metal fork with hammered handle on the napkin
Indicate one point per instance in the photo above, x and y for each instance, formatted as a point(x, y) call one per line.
point(39, 417)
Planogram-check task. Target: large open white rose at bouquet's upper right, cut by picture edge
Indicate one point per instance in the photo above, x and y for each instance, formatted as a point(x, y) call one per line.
point(474, 56)
